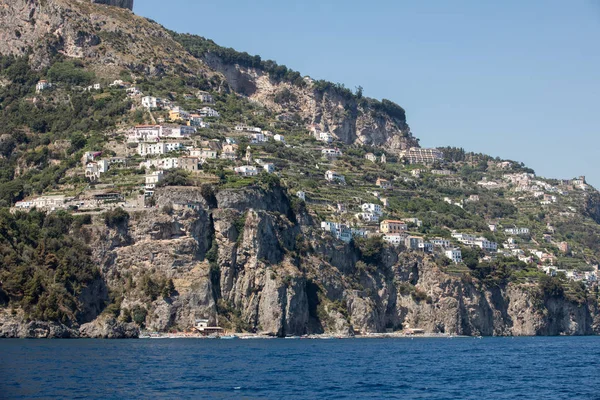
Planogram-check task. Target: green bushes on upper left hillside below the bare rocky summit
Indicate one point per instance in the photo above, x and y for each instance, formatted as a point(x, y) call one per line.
point(49, 119)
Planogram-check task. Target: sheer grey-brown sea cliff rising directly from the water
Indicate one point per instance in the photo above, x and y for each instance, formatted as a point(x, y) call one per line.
point(240, 260)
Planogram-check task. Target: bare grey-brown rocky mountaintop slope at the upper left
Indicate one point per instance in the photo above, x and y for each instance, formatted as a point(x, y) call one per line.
point(107, 39)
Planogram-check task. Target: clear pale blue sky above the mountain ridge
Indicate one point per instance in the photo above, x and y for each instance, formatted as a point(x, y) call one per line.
point(514, 79)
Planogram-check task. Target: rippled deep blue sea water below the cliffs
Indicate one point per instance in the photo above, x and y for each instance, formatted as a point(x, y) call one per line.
point(420, 368)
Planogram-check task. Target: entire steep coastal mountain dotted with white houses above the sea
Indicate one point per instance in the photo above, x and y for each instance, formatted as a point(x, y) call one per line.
point(102, 234)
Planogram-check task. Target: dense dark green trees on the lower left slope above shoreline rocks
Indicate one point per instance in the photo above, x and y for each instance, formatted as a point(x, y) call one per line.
point(44, 266)
